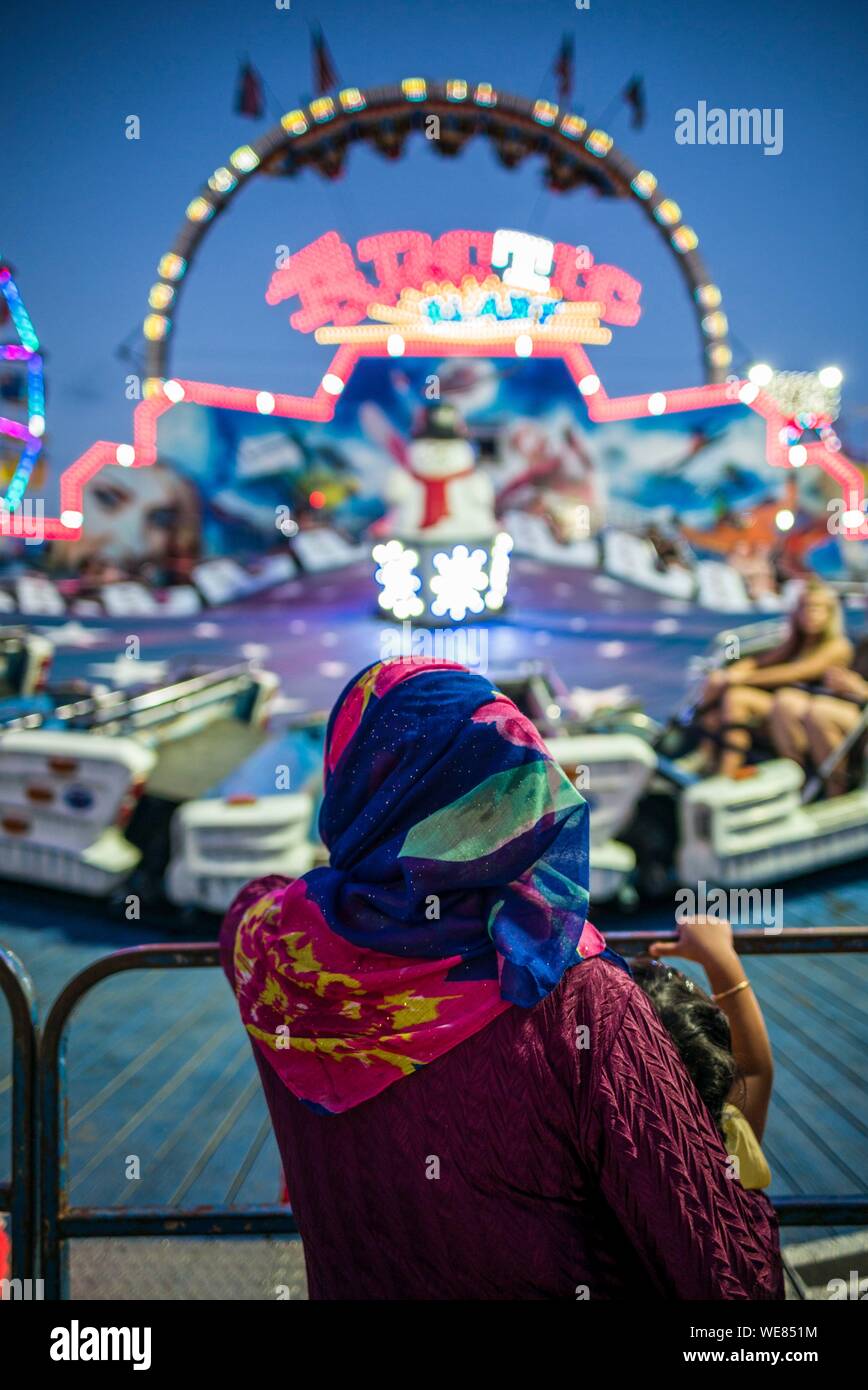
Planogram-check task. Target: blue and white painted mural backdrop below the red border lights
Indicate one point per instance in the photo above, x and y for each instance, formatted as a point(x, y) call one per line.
point(226, 472)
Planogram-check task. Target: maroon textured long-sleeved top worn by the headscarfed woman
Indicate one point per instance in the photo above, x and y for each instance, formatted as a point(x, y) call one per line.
point(522, 1166)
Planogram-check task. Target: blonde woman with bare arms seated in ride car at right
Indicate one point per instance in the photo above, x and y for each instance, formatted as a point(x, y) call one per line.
point(757, 694)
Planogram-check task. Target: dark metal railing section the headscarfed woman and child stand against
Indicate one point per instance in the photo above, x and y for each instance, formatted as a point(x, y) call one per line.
point(62, 1223)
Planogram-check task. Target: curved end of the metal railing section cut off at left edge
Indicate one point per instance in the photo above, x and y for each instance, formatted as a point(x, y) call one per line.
point(19, 1196)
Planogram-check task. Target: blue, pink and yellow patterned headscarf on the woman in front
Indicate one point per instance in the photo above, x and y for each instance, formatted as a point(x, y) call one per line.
point(457, 888)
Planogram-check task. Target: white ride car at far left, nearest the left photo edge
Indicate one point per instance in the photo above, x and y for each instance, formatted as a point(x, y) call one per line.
point(88, 785)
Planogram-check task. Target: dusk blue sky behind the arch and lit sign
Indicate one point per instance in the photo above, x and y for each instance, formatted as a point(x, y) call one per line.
point(88, 213)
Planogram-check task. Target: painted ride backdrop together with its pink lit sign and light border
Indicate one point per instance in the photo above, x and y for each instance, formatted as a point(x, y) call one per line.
point(497, 326)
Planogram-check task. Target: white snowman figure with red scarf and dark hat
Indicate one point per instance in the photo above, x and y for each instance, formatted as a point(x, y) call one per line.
point(440, 494)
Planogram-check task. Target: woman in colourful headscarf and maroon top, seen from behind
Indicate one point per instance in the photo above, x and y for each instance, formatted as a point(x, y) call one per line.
point(471, 1096)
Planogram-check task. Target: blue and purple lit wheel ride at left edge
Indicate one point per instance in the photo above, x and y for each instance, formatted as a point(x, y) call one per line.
point(23, 420)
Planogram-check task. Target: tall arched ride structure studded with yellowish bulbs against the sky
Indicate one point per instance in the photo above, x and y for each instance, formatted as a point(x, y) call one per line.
point(450, 115)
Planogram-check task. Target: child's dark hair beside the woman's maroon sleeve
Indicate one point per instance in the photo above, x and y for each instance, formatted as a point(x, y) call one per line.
point(696, 1025)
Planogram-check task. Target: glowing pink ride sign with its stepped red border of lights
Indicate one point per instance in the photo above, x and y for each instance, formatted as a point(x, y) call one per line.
point(475, 294)
